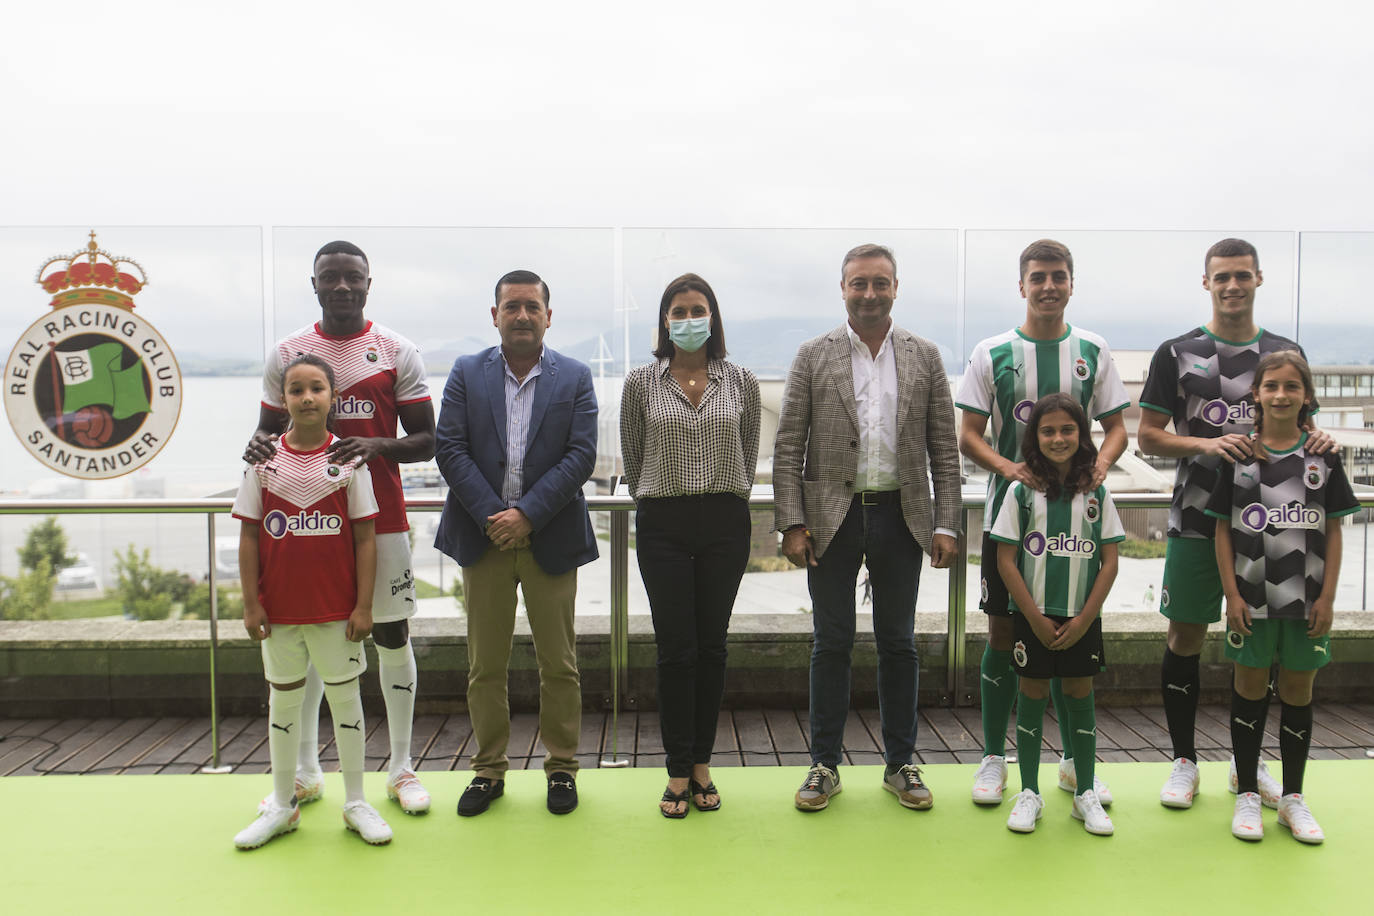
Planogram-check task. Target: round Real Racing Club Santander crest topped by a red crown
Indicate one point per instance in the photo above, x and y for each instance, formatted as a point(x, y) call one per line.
point(93, 391)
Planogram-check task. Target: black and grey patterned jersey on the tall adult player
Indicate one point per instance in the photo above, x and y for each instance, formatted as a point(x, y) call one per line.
point(1204, 384)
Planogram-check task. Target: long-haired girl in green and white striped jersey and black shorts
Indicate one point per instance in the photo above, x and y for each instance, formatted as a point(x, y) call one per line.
point(1059, 558)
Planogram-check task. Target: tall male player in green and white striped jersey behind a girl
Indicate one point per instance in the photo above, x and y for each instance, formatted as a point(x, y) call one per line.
point(1006, 376)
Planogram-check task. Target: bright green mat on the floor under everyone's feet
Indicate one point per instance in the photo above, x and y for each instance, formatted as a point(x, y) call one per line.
point(164, 844)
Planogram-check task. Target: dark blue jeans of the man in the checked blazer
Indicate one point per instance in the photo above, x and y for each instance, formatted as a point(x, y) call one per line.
point(876, 535)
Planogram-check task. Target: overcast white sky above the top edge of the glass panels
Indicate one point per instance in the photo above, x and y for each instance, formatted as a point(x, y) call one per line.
point(1199, 116)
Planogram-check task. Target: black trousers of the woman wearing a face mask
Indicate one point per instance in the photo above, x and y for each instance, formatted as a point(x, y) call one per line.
point(692, 554)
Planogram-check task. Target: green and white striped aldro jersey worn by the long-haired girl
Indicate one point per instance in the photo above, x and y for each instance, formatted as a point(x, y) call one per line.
point(1061, 543)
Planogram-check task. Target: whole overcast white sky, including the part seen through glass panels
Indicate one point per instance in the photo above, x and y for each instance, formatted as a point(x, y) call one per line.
point(750, 142)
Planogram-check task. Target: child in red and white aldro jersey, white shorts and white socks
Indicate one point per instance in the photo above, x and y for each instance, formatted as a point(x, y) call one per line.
point(307, 562)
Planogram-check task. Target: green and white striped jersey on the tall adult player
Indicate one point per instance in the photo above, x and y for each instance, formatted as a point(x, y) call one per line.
point(1009, 373)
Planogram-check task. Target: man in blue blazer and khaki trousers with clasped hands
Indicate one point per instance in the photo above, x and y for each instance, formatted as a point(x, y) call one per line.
point(516, 442)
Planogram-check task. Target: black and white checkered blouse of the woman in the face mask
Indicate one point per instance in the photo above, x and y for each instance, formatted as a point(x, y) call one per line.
point(675, 450)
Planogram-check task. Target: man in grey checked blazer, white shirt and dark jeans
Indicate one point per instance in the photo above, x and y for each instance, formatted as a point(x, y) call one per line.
point(866, 406)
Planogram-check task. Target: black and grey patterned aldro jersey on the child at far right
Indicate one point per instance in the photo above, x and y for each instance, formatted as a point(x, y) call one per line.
point(1277, 513)
